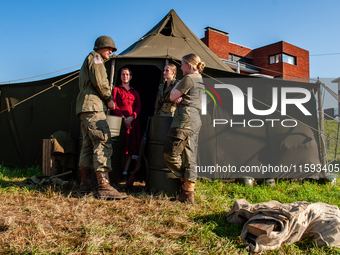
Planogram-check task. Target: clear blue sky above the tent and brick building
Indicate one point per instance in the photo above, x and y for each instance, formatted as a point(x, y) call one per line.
point(44, 36)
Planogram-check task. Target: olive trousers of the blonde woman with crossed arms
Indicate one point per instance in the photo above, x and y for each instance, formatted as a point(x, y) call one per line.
point(180, 153)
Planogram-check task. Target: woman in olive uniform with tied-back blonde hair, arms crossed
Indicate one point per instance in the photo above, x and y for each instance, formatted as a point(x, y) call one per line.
point(180, 150)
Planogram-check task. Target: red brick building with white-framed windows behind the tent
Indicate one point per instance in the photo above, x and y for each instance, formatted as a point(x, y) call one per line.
point(278, 60)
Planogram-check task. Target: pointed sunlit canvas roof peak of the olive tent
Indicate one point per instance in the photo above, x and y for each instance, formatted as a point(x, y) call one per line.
point(172, 39)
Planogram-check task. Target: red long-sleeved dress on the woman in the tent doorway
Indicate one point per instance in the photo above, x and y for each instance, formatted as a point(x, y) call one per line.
point(127, 104)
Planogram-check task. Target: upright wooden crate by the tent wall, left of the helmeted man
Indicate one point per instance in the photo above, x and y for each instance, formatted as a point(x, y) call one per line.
point(49, 162)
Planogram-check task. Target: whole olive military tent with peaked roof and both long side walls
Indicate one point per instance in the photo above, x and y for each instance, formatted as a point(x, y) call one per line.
point(24, 126)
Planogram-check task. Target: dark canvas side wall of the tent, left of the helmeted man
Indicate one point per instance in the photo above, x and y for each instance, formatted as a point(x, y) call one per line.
point(24, 126)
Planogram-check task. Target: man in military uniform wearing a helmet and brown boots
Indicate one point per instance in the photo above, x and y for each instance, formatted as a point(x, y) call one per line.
point(93, 100)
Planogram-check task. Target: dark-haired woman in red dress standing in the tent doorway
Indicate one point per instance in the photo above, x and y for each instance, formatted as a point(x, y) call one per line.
point(128, 105)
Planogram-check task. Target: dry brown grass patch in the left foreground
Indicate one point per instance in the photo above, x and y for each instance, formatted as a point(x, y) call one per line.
point(49, 221)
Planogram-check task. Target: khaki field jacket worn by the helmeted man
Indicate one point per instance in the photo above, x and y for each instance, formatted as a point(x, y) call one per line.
point(94, 89)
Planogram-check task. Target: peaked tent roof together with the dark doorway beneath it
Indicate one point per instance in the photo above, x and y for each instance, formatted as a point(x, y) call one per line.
point(167, 42)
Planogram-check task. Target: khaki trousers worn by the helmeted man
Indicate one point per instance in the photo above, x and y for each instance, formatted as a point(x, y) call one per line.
point(97, 148)
